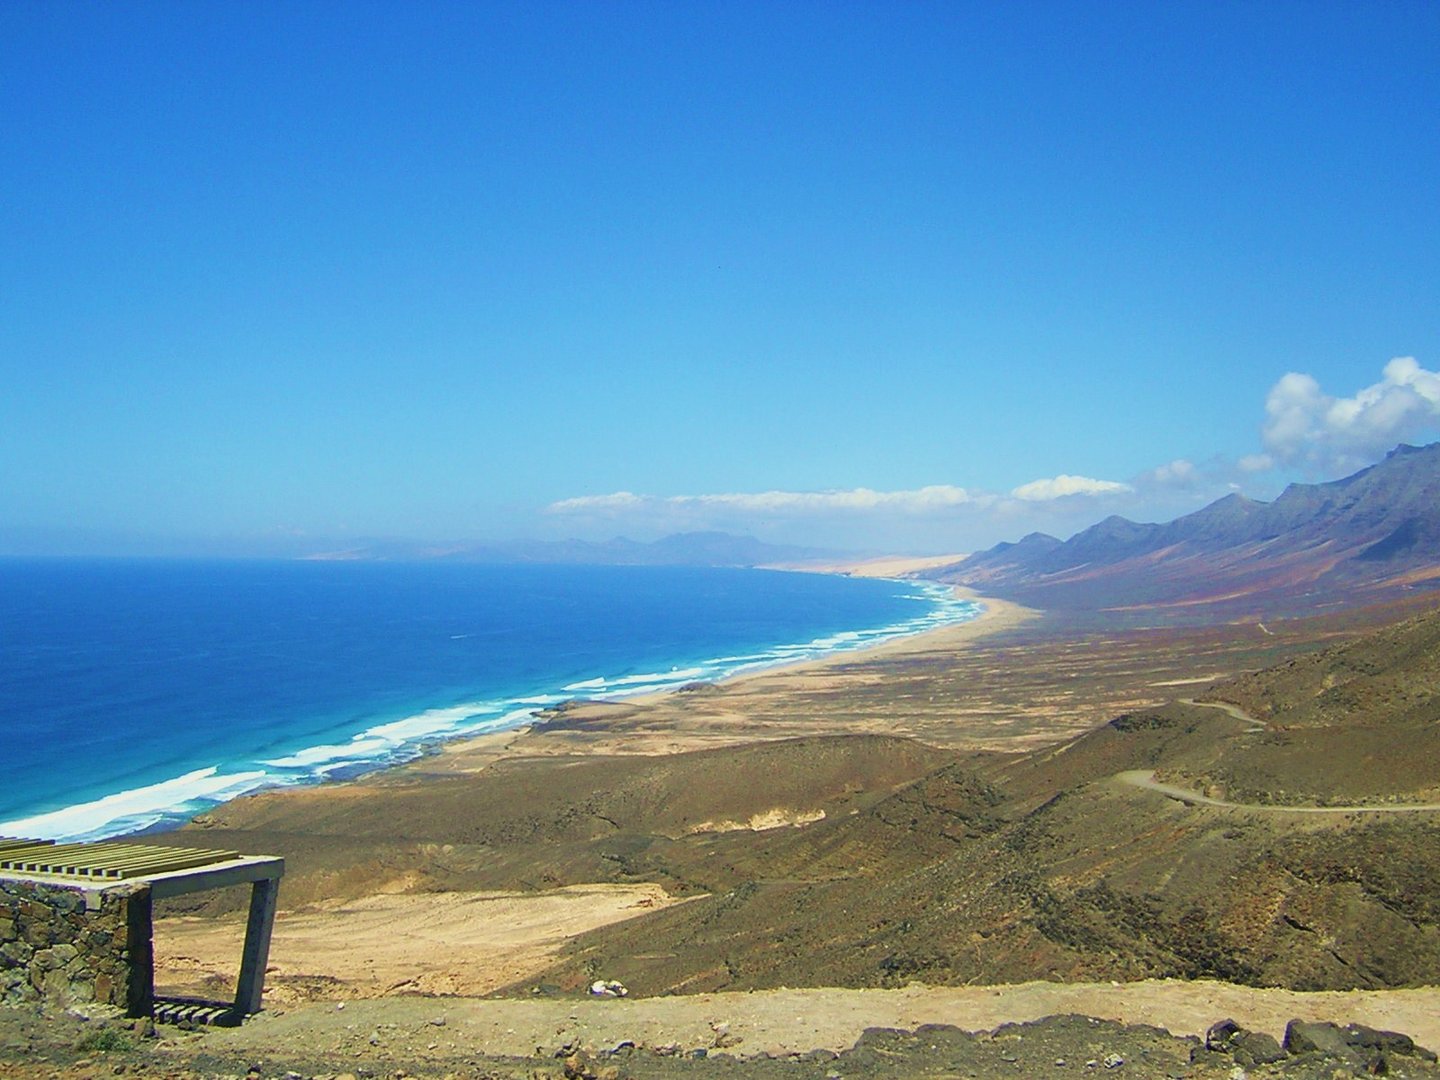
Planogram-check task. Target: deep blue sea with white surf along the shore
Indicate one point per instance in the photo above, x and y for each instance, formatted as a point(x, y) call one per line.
point(138, 693)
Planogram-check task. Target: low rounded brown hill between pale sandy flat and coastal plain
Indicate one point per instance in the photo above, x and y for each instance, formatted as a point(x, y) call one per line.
point(554, 823)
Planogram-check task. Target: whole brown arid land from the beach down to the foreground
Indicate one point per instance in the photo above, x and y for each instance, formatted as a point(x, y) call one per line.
point(1163, 826)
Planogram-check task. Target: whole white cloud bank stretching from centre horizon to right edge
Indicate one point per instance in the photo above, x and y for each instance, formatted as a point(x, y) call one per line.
point(1304, 430)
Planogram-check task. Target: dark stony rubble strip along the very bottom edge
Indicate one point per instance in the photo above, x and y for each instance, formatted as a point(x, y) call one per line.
point(34, 1046)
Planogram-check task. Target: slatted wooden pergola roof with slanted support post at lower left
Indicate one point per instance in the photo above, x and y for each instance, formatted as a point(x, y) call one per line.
point(163, 872)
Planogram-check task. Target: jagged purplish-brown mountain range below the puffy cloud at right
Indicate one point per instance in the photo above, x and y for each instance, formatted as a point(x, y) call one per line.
point(1364, 536)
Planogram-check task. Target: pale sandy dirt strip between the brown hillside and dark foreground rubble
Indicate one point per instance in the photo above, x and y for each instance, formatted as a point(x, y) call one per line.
point(796, 1022)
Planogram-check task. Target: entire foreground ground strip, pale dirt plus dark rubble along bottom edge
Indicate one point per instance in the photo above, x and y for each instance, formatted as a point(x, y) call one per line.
point(981, 1033)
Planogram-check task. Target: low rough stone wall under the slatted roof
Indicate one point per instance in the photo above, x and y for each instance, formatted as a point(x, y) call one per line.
point(64, 947)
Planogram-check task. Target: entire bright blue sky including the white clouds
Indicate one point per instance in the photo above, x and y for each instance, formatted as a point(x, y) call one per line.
point(901, 277)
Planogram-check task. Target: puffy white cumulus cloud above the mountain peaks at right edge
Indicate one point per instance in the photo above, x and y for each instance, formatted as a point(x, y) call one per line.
point(1305, 426)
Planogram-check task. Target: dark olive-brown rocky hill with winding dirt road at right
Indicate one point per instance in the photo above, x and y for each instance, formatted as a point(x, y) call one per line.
point(1056, 865)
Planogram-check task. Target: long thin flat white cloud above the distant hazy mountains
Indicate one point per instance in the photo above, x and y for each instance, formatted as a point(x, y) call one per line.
point(934, 499)
